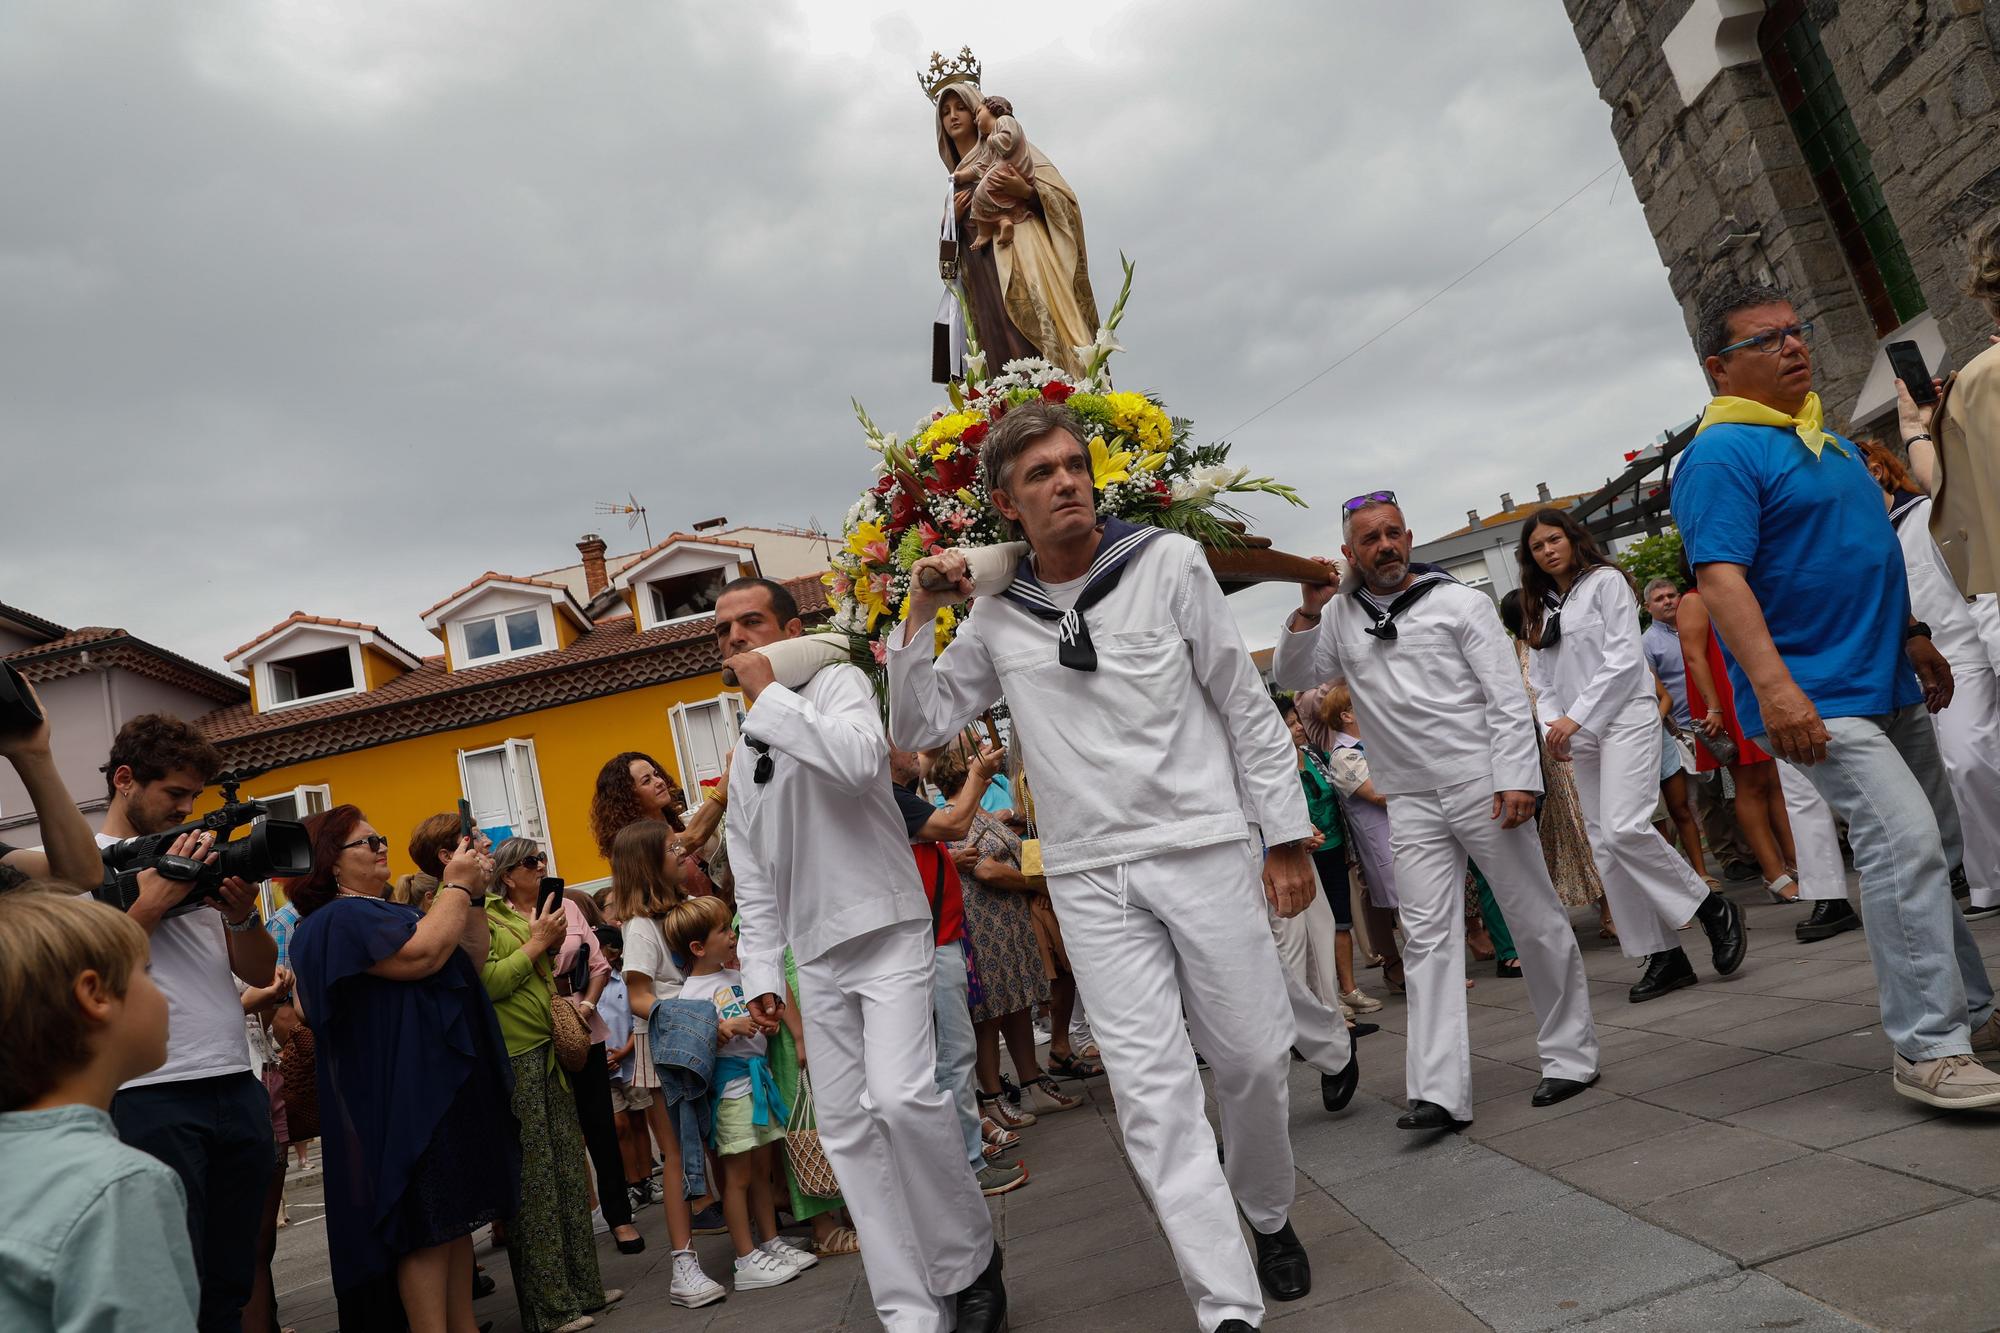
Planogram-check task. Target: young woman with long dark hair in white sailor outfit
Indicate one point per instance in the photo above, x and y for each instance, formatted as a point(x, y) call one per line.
point(1599, 708)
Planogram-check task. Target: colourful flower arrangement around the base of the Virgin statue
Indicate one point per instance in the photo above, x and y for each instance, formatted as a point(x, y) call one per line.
point(929, 493)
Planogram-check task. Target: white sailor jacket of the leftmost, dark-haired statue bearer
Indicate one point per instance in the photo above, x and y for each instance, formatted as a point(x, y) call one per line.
point(821, 852)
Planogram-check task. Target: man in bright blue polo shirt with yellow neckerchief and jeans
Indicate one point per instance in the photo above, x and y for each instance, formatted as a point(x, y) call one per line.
point(1805, 581)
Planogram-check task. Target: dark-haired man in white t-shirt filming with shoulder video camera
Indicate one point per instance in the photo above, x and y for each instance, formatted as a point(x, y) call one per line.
point(203, 1112)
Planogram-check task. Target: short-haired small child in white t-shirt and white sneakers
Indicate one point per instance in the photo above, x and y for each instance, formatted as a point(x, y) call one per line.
point(749, 1112)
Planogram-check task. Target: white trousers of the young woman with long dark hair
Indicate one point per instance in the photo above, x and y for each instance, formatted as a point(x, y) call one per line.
point(1651, 890)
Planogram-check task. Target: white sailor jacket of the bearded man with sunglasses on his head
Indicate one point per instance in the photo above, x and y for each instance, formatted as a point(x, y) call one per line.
point(1443, 704)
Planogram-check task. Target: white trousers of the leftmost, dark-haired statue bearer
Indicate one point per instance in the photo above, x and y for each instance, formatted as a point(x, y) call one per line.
point(887, 1128)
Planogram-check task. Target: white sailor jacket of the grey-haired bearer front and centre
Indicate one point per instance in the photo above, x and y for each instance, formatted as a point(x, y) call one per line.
point(1141, 756)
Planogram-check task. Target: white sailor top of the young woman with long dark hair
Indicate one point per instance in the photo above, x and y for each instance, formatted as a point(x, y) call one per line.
point(1597, 668)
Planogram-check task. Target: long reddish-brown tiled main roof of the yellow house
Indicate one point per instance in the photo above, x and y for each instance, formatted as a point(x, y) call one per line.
point(609, 659)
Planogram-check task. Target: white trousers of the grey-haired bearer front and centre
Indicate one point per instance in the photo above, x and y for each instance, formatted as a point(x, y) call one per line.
point(1189, 934)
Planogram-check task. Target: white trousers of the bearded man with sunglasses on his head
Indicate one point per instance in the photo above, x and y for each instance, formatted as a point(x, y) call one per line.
point(1433, 836)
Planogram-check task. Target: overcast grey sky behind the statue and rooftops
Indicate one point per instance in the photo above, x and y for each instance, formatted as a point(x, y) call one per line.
point(333, 307)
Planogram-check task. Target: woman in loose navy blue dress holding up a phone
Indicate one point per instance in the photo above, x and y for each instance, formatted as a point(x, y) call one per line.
point(415, 1086)
